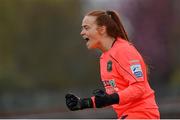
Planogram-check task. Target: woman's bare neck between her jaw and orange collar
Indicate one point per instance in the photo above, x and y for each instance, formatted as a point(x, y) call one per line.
point(107, 43)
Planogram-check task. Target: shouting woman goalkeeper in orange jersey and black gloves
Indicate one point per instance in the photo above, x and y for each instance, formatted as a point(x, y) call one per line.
point(122, 68)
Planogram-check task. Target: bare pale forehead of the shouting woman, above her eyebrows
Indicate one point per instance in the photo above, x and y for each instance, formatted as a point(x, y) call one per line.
point(88, 20)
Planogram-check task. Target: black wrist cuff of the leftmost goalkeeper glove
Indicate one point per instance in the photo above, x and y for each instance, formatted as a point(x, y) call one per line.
point(86, 103)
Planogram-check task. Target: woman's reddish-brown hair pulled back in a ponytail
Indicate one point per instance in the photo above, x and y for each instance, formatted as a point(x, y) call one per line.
point(111, 20)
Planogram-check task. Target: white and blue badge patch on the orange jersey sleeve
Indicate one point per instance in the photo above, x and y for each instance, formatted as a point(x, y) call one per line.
point(136, 70)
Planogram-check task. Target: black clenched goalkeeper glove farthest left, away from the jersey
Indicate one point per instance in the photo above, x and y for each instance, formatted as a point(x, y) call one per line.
point(75, 103)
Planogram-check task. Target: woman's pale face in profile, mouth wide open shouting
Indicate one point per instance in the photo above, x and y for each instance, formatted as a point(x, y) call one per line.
point(90, 32)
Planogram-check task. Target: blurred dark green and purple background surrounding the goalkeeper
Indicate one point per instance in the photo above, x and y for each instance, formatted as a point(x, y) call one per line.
point(42, 55)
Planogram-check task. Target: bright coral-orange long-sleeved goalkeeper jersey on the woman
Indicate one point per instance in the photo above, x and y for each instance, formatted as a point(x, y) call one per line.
point(124, 71)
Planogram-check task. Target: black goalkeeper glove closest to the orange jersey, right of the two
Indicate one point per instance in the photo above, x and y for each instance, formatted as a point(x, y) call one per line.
point(102, 99)
